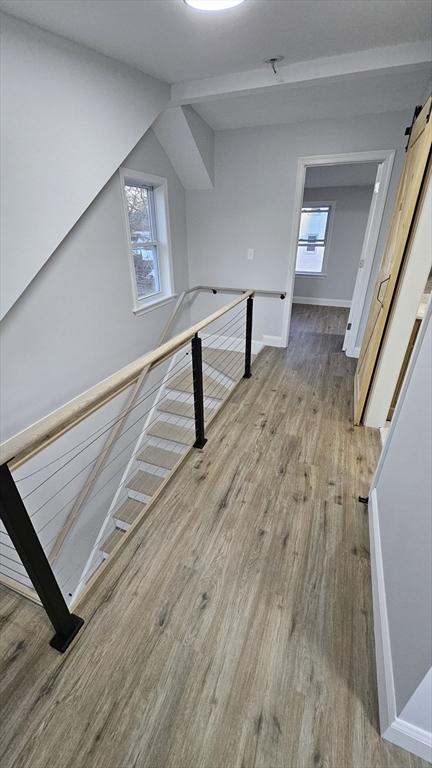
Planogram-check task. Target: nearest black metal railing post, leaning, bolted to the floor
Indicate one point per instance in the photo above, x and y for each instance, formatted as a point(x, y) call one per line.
point(17, 522)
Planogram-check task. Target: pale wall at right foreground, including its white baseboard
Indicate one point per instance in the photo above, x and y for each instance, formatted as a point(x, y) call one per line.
point(401, 535)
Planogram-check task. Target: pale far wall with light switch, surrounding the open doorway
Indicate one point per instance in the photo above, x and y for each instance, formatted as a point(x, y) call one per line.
point(251, 205)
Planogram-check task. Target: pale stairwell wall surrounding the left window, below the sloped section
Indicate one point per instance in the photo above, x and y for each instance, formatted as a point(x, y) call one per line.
point(74, 325)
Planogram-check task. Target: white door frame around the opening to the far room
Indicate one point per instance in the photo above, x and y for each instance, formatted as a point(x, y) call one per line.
point(385, 159)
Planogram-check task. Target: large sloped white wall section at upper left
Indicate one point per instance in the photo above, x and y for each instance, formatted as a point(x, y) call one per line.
point(69, 117)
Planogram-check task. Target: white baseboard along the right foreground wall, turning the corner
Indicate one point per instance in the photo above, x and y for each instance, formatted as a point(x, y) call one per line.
point(393, 729)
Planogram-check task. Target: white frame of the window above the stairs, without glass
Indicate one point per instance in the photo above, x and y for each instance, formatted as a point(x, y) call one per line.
point(160, 215)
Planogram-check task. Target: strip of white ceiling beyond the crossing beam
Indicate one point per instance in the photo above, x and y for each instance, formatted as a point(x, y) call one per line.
point(367, 94)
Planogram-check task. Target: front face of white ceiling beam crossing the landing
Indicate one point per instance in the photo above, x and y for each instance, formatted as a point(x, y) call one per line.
point(404, 57)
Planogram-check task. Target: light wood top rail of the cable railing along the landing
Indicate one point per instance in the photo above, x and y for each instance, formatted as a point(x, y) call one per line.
point(30, 441)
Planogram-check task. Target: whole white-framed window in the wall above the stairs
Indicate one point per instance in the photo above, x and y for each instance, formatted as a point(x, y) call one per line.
point(148, 239)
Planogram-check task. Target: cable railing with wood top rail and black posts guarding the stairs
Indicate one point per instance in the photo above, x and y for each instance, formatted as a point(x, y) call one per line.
point(75, 485)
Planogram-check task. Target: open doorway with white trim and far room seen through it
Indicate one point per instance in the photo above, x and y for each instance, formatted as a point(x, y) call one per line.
point(337, 195)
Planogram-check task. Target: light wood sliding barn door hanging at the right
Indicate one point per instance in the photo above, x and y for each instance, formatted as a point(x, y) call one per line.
point(410, 186)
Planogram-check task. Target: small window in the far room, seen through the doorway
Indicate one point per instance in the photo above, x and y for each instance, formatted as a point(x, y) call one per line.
point(313, 239)
